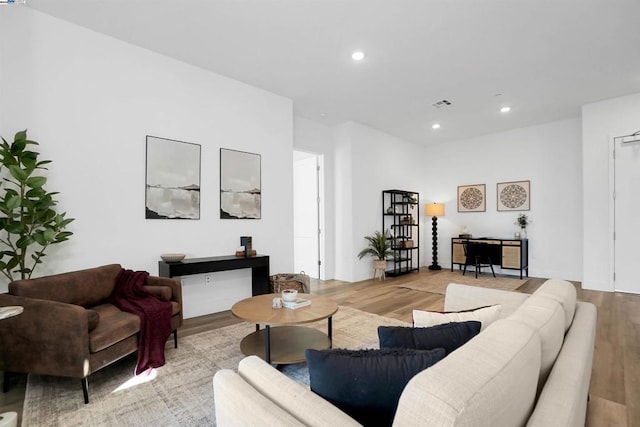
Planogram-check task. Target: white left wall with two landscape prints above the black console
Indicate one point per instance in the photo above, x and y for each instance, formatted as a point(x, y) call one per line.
point(90, 100)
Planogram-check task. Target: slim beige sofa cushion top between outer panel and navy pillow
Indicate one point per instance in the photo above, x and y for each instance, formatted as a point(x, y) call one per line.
point(298, 400)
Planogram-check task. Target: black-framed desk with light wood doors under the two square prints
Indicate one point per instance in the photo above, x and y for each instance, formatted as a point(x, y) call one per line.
point(509, 254)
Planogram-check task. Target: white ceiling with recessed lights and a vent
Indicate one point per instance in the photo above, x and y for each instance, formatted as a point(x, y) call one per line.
point(546, 58)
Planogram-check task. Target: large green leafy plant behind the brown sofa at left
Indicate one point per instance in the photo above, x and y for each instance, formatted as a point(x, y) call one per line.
point(29, 222)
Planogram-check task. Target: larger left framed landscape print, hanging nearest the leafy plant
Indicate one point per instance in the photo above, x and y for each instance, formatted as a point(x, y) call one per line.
point(172, 179)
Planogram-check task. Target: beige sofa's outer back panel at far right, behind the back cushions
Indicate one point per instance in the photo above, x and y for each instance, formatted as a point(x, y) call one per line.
point(563, 401)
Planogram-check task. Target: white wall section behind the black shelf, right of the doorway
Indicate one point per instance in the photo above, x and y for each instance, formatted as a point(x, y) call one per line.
point(368, 161)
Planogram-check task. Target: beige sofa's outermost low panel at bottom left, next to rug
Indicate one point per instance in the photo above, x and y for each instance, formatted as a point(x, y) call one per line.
point(238, 404)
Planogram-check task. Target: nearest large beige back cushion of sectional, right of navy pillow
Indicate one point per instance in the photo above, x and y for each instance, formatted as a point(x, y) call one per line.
point(490, 381)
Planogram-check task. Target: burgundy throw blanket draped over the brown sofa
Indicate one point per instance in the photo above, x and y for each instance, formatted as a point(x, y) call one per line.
point(155, 317)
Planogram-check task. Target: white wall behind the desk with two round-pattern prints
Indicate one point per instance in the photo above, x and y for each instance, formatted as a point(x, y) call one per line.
point(547, 155)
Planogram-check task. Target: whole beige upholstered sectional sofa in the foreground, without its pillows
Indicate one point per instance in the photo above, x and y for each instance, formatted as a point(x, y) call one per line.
point(531, 367)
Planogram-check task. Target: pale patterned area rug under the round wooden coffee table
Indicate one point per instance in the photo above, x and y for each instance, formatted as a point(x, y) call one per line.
point(181, 393)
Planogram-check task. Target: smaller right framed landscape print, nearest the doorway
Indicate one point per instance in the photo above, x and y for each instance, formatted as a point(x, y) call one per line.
point(240, 185)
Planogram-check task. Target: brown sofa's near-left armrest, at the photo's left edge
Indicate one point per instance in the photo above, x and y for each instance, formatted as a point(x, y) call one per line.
point(49, 338)
